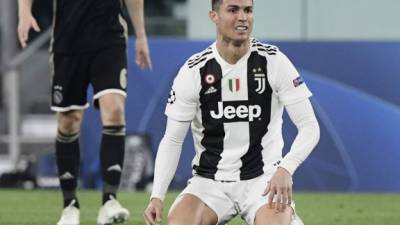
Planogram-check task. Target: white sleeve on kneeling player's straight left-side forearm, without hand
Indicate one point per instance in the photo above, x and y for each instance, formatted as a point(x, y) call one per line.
point(168, 155)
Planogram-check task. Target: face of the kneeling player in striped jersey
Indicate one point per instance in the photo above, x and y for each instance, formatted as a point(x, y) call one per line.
point(234, 20)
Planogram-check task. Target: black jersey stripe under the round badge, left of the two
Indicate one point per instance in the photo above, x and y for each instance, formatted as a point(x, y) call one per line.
point(213, 140)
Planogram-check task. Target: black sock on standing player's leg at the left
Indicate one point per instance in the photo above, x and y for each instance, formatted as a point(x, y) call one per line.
point(67, 158)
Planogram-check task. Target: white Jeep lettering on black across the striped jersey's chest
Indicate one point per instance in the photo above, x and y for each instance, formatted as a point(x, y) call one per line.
point(236, 111)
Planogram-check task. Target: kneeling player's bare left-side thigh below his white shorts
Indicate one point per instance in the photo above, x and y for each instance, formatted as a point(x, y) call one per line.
point(189, 209)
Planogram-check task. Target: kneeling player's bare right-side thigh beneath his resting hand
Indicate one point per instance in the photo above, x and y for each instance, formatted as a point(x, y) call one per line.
point(269, 216)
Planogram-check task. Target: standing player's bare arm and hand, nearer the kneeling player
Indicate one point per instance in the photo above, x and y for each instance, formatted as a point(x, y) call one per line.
point(136, 14)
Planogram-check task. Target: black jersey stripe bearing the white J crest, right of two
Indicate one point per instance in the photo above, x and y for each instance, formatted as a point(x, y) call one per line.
point(252, 162)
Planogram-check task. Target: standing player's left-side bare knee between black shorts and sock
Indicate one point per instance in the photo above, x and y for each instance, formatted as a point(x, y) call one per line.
point(69, 122)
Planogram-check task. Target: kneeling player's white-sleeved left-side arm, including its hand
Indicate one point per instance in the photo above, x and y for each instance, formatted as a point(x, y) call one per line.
point(167, 160)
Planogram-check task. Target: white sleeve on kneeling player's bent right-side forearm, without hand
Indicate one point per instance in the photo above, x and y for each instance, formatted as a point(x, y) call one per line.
point(307, 137)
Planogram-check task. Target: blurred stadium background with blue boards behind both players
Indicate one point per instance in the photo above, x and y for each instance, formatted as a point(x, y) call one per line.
point(347, 51)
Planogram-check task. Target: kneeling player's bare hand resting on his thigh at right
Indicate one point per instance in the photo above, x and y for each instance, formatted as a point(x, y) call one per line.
point(280, 187)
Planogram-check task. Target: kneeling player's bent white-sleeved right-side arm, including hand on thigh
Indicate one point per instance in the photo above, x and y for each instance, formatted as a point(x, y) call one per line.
point(280, 185)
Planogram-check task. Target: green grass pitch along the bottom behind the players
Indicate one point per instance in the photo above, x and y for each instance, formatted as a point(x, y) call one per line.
point(18, 207)
